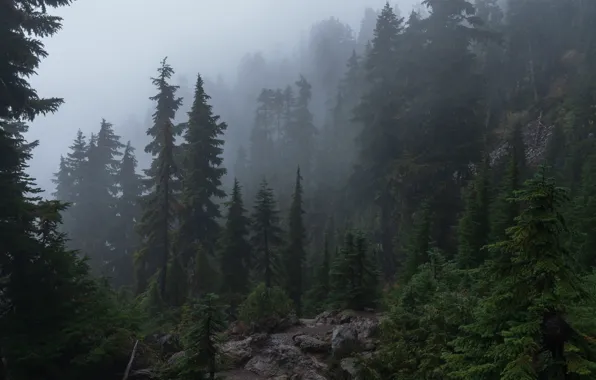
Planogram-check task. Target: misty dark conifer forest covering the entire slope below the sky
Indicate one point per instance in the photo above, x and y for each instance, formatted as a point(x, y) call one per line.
point(437, 170)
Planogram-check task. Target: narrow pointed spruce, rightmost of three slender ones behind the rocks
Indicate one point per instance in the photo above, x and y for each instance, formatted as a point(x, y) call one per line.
point(295, 254)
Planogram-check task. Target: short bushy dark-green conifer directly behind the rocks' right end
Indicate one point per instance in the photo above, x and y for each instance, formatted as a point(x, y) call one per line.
point(354, 276)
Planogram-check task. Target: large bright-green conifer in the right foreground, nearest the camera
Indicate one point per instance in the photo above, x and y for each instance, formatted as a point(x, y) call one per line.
point(530, 302)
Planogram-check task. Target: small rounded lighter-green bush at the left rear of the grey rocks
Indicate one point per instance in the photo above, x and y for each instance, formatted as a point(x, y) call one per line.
point(265, 304)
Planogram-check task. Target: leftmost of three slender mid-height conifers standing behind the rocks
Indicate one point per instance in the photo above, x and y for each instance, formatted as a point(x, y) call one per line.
point(235, 250)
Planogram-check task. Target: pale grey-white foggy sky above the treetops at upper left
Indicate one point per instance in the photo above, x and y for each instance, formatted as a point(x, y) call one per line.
point(101, 61)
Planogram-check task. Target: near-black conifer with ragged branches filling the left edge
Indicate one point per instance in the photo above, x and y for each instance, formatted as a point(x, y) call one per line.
point(46, 294)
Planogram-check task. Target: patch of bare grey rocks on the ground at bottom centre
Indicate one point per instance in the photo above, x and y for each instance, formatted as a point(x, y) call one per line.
point(300, 349)
